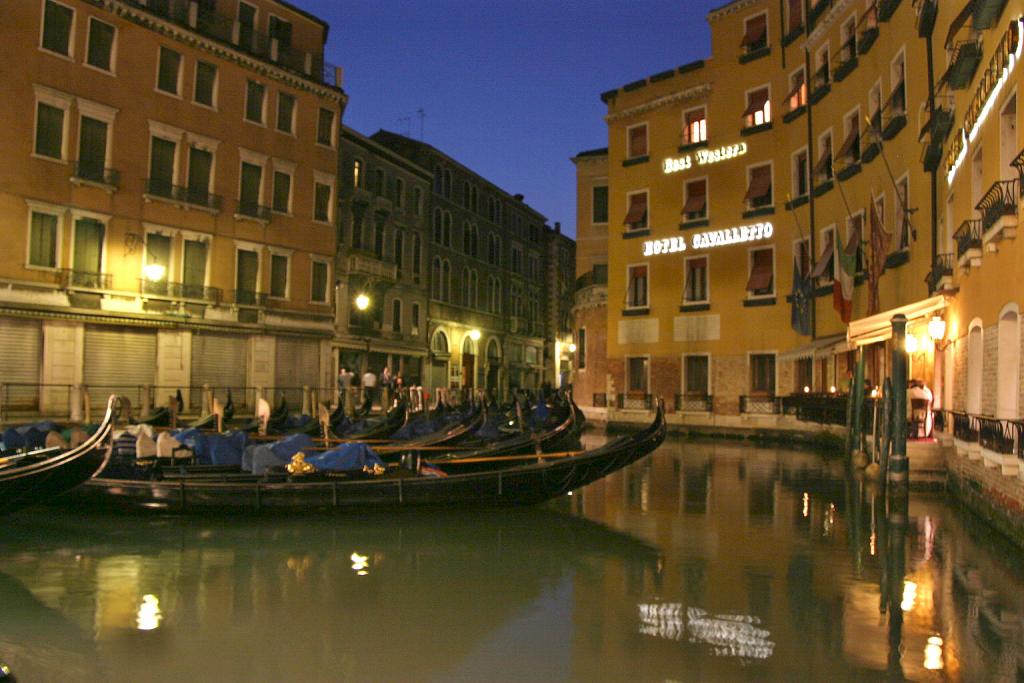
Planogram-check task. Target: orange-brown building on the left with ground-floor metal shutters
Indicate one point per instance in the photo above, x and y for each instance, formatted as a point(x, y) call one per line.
point(168, 200)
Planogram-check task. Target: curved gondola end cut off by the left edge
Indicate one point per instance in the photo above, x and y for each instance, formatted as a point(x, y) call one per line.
point(39, 476)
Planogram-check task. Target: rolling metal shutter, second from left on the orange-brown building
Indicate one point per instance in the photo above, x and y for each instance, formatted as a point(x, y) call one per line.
point(118, 361)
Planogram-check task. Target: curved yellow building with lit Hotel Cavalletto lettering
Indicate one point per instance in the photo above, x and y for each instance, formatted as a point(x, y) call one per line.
point(773, 207)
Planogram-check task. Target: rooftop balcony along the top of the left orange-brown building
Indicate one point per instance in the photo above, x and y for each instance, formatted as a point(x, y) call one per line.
point(226, 29)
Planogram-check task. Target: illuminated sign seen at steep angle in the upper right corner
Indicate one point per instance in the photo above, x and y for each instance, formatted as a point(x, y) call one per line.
point(993, 81)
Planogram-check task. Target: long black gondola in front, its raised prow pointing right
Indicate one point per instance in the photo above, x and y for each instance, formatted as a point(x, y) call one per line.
point(514, 485)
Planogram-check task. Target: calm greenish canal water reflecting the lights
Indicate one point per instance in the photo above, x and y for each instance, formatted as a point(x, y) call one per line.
point(707, 562)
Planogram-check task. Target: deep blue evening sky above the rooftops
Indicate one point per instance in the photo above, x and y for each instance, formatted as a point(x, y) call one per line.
point(510, 89)
